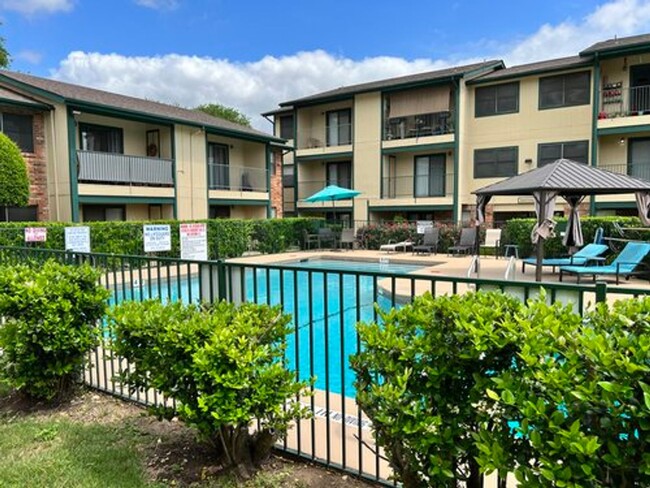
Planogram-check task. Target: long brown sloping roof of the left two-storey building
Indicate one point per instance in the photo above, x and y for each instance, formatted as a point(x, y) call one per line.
point(78, 93)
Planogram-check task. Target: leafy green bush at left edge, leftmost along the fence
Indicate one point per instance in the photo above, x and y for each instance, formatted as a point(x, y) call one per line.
point(51, 315)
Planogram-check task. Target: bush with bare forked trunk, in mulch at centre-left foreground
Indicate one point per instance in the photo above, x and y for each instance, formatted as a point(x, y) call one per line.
point(223, 364)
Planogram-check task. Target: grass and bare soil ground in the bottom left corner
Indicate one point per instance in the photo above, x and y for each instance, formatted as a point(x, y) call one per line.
point(99, 441)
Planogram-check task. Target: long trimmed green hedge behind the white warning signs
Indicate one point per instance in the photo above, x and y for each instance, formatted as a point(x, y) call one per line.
point(227, 238)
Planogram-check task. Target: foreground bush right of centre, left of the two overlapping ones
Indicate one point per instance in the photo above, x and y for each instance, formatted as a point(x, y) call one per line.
point(422, 377)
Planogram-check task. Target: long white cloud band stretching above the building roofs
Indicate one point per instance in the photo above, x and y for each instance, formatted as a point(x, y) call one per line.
point(259, 86)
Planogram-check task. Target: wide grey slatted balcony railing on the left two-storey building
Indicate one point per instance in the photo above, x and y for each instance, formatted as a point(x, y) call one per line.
point(100, 167)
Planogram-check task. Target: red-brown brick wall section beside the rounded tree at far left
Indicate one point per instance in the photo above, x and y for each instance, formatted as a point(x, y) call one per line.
point(37, 170)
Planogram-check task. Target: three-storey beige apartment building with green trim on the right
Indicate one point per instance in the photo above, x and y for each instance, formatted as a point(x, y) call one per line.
point(417, 146)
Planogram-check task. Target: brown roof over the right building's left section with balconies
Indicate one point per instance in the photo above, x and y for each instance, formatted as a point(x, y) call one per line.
point(396, 82)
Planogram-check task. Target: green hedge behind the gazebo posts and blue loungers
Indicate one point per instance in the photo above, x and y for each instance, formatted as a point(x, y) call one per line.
point(517, 231)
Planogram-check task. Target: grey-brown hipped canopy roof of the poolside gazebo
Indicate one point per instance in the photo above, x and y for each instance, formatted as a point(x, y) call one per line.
point(566, 177)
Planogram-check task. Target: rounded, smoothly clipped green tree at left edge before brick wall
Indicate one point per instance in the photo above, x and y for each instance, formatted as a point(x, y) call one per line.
point(14, 184)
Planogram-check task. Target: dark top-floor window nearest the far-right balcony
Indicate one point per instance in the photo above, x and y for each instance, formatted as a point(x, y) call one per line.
point(564, 90)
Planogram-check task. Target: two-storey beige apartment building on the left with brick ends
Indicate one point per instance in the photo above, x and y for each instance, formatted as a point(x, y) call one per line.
point(95, 155)
